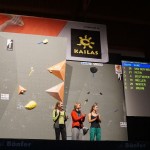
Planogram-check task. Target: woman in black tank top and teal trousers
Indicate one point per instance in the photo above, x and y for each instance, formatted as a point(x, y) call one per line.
point(95, 120)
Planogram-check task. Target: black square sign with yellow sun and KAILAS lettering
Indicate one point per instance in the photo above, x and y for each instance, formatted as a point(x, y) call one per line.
point(85, 43)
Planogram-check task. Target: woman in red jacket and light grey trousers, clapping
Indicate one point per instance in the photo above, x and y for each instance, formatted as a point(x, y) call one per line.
point(77, 122)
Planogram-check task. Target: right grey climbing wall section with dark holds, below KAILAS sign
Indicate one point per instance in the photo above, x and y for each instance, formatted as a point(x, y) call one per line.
point(88, 83)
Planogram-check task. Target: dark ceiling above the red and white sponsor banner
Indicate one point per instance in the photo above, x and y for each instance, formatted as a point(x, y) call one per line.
point(128, 23)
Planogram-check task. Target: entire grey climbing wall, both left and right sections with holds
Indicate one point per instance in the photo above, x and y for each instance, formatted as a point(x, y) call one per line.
point(35, 75)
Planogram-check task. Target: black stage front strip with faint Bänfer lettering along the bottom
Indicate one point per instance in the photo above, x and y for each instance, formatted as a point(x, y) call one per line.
point(35, 144)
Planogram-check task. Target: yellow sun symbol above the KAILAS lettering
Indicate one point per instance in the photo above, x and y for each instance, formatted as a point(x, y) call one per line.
point(86, 42)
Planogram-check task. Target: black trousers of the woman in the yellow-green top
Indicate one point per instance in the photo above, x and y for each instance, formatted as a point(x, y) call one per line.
point(61, 131)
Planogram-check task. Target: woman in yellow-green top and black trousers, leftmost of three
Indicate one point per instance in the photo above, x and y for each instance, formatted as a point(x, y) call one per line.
point(59, 118)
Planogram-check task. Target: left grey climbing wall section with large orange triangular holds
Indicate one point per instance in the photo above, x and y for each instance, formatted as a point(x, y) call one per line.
point(31, 82)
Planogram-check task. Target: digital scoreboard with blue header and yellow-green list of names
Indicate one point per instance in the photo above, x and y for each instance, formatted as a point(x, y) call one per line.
point(136, 78)
